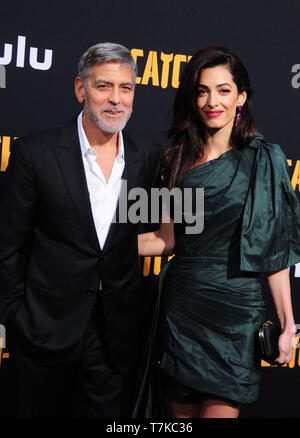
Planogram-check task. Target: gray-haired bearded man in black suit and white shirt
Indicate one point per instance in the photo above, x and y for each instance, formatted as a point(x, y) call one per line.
point(70, 280)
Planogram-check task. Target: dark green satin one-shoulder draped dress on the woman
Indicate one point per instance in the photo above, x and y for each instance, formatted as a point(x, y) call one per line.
point(212, 301)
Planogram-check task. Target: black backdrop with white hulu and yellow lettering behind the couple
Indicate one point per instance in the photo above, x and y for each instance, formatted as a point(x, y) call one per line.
point(35, 94)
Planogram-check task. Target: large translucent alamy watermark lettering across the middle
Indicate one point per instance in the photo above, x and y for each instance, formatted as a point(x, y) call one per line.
point(160, 205)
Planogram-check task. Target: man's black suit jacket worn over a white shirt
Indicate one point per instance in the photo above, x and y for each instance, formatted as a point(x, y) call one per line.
point(51, 264)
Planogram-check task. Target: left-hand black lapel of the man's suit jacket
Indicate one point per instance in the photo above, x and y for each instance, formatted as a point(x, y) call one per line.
point(68, 154)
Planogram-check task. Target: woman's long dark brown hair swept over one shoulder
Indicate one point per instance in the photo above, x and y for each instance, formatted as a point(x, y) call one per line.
point(188, 133)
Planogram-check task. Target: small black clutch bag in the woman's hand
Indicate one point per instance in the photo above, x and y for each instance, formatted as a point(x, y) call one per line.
point(267, 341)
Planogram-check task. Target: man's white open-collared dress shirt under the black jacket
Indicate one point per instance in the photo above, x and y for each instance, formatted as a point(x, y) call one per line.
point(103, 195)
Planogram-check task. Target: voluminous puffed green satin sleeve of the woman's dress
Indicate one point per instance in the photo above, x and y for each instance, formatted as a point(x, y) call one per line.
point(270, 238)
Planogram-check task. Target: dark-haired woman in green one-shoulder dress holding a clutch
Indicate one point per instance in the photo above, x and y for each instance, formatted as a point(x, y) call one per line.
point(212, 302)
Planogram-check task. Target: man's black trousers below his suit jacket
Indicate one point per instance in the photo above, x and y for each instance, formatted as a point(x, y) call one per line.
point(87, 385)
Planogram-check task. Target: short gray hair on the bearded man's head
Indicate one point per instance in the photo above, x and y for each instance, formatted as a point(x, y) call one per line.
point(105, 52)
